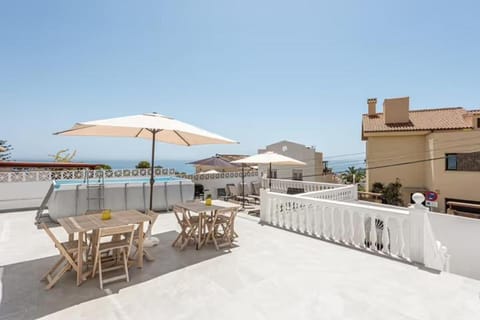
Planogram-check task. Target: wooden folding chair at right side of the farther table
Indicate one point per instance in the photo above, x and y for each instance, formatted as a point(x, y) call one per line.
point(221, 227)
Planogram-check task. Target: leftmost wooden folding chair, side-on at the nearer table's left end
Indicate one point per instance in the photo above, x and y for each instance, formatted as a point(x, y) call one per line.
point(68, 255)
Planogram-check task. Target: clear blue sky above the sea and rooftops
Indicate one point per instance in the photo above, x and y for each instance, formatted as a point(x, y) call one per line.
point(254, 71)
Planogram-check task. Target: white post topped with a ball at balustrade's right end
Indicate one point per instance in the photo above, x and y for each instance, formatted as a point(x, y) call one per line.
point(417, 215)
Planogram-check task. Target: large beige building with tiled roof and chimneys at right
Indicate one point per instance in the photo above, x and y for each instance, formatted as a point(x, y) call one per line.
point(430, 150)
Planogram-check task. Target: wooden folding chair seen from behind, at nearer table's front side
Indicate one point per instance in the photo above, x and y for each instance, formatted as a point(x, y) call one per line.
point(117, 247)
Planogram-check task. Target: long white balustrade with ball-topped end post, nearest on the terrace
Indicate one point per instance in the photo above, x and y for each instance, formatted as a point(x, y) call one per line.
point(396, 232)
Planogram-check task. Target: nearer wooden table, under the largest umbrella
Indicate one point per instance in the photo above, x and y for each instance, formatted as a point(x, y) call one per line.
point(82, 224)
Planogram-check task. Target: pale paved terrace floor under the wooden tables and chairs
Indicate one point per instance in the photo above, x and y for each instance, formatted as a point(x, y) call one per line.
point(270, 274)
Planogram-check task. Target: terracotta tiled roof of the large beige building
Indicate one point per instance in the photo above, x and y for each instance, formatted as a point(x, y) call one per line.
point(427, 119)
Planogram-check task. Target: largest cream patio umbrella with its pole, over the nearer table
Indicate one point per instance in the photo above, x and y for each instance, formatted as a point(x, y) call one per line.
point(152, 126)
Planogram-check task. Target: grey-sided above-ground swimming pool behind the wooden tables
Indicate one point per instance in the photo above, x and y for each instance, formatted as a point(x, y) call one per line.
point(69, 197)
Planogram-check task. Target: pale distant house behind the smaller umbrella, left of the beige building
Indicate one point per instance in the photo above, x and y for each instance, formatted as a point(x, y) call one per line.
point(312, 171)
